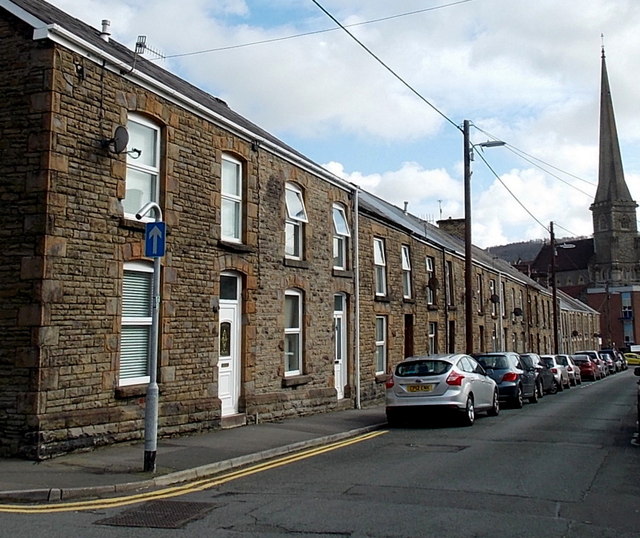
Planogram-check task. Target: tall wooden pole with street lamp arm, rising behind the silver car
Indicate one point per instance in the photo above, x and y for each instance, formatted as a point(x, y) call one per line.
point(468, 257)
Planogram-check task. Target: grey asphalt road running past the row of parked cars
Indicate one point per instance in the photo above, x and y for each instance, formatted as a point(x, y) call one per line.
point(563, 467)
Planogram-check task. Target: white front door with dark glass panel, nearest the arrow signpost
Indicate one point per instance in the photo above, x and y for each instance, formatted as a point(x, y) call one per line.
point(229, 344)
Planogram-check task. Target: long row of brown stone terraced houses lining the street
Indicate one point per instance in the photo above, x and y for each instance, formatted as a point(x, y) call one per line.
point(284, 290)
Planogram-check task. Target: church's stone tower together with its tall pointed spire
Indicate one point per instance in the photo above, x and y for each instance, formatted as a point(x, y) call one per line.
point(615, 233)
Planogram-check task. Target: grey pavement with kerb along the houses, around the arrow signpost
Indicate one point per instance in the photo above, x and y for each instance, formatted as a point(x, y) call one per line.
point(118, 469)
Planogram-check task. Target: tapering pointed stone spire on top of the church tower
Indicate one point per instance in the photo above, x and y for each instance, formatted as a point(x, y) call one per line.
point(611, 183)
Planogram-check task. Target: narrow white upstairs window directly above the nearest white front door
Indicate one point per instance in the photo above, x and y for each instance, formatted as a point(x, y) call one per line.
point(231, 202)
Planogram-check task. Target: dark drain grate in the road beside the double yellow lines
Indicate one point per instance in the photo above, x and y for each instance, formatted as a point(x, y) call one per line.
point(159, 515)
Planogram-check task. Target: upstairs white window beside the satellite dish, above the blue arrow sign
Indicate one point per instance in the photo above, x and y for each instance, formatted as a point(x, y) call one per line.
point(143, 169)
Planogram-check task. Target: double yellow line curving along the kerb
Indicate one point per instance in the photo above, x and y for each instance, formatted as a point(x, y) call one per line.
point(199, 485)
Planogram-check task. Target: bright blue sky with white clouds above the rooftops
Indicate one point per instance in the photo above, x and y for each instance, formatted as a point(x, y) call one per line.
point(382, 103)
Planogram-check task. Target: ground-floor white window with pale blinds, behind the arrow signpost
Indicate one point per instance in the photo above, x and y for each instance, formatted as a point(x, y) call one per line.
point(139, 362)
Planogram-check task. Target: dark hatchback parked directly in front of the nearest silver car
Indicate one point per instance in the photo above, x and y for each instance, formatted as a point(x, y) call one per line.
point(515, 382)
